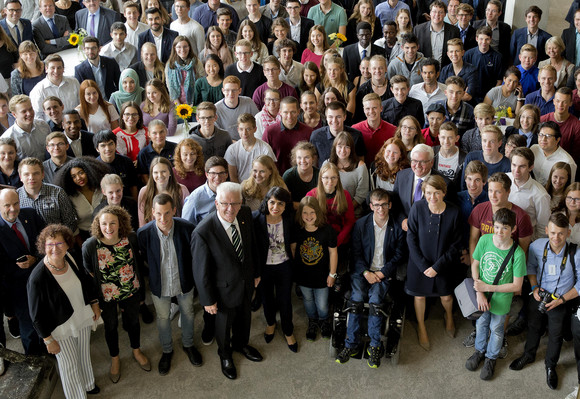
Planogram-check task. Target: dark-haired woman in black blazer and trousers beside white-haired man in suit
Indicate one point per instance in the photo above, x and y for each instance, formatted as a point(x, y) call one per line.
point(273, 223)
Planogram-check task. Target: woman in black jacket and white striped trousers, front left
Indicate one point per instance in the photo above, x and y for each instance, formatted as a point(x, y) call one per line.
point(64, 306)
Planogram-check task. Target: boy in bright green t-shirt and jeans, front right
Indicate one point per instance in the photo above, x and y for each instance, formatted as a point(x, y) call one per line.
point(489, 255)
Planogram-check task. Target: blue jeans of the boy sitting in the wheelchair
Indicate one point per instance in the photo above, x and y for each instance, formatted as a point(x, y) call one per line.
point(361, 289)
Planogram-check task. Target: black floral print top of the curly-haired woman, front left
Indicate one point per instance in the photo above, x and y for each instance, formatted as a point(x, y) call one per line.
point(117, 270)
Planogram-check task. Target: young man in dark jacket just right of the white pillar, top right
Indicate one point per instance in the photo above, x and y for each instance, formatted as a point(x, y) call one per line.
point(522, 35)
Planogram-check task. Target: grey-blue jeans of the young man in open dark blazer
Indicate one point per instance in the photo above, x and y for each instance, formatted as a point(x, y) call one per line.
point(162, 308)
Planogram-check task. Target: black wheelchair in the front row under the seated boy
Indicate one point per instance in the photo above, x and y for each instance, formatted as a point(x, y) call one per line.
point(392, 310)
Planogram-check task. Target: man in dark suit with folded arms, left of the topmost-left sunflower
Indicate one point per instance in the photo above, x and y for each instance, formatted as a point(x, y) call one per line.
point(50, 30)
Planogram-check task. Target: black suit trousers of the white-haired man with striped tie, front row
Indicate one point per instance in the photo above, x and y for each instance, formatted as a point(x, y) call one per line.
point(232, 326)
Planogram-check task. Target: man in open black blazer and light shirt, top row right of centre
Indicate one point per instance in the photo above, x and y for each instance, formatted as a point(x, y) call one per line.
point(427, 29)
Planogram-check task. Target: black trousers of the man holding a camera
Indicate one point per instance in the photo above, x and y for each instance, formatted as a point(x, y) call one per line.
point(536, 326)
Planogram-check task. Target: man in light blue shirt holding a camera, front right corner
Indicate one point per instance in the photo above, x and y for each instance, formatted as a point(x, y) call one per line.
point(552, 271)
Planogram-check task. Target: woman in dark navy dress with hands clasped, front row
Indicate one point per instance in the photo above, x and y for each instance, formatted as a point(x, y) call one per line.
point(434, 239)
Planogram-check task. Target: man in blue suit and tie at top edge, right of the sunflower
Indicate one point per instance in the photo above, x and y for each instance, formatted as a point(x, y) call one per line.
point(97, 20)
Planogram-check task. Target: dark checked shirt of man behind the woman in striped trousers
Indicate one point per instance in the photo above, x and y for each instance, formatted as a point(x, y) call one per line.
point(52, 204)
